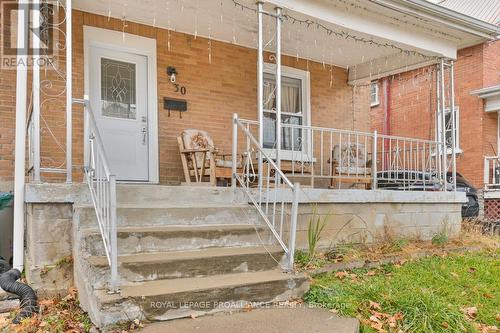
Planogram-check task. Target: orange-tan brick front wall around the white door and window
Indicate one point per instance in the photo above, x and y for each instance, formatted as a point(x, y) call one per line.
point(214, 92)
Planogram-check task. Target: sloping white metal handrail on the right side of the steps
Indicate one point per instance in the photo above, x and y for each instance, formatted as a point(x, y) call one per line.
point(278, 212)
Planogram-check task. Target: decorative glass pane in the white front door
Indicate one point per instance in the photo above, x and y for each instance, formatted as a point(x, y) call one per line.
point(118, 91)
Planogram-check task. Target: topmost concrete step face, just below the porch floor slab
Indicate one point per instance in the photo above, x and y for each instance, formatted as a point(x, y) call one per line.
point(161, 215)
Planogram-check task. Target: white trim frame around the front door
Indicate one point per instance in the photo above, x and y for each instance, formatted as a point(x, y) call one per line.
point(137, 45)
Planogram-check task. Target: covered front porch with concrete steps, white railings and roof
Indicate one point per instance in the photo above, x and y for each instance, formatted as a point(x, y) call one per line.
point(290, 106)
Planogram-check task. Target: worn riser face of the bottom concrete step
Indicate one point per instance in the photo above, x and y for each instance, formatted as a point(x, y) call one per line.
point(186, 304)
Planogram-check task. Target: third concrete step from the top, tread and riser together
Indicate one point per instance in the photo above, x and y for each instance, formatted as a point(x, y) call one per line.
point(184, 264)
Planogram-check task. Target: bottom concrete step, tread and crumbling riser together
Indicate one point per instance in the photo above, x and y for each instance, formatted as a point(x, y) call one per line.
point(170, 299)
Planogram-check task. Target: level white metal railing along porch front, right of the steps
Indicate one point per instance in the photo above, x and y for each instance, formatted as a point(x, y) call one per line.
point(336, 158)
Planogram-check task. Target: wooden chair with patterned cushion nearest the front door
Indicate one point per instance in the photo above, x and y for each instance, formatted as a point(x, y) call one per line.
point(201, 160)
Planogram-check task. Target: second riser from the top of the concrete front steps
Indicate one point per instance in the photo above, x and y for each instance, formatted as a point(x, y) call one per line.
point(136, 242)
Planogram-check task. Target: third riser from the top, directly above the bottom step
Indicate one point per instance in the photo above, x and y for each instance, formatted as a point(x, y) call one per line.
point(197, 267)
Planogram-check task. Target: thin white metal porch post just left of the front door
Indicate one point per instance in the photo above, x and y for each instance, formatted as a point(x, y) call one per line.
point(69, 92)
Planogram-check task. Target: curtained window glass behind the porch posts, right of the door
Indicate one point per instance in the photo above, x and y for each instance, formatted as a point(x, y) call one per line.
point(291, 112)
